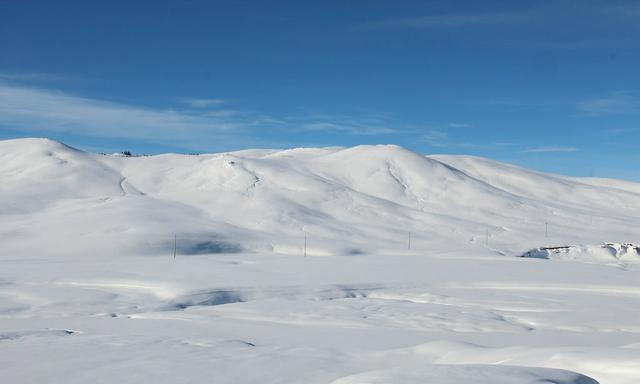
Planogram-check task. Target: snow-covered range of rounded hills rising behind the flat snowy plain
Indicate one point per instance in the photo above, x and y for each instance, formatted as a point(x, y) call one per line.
point(365, 199)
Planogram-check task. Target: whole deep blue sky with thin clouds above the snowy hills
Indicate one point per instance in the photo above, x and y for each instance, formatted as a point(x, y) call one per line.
point(551, 85)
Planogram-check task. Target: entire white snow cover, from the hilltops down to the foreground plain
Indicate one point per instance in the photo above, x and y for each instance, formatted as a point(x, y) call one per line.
point(90, 291)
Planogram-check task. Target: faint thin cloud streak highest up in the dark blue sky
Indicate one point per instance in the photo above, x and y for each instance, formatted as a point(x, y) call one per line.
point(451, 20)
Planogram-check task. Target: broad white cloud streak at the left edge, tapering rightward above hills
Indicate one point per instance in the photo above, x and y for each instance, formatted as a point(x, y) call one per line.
point(37, 110)
